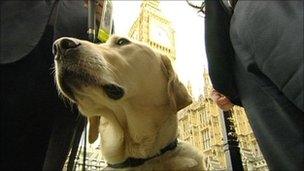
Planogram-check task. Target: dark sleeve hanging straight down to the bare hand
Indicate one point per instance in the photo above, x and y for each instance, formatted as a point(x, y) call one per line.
point(219, 50)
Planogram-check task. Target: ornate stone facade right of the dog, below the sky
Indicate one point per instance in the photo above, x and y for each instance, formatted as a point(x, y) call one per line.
point(200, 124)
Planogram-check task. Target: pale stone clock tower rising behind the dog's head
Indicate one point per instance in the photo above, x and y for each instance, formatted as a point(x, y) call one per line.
point(153, 28)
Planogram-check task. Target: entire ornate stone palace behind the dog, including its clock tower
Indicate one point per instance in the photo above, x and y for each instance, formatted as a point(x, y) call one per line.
point(200, 123)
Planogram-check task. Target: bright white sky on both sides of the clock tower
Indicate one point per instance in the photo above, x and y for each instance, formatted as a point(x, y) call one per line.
point(189, 36)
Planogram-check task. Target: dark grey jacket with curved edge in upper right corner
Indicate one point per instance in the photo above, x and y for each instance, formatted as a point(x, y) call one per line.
point(268, 38)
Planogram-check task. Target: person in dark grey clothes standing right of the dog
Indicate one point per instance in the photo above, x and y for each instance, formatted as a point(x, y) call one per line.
point(255, 59)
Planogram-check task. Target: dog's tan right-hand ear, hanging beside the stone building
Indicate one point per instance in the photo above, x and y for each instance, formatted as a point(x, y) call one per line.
point(178, 95)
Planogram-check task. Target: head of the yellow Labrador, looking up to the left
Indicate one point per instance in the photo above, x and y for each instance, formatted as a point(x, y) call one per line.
point(116, 75)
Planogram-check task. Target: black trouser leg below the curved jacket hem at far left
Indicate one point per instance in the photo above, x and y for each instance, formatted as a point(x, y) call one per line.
point(29, 104)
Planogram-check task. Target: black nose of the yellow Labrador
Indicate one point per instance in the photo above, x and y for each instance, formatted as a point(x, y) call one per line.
point(63, 44)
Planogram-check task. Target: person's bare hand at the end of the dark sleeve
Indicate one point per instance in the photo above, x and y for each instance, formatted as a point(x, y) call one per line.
point(222, 101)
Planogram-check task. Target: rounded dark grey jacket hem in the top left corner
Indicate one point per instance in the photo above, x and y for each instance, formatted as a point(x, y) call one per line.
point(22, 25)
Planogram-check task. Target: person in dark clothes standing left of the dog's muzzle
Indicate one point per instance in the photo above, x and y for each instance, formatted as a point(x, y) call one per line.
point(36, 126)
